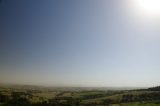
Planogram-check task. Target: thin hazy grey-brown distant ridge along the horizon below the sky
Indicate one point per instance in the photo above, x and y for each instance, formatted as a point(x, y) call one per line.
point(65, 88)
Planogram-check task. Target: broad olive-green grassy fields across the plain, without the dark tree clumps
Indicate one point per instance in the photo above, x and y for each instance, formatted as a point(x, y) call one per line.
point(86, 97)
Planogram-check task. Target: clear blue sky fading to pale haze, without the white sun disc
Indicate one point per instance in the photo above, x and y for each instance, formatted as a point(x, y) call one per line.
point(90, 43)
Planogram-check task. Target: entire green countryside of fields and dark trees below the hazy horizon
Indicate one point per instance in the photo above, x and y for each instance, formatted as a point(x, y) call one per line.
point(12, 96)
